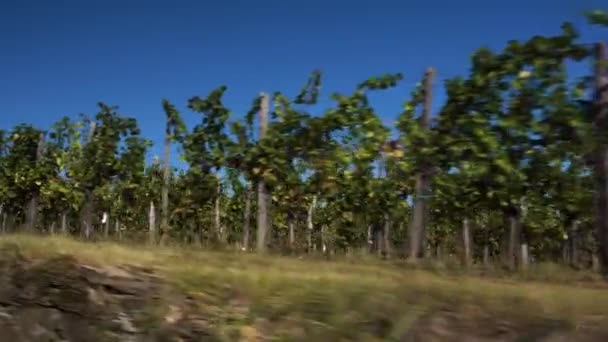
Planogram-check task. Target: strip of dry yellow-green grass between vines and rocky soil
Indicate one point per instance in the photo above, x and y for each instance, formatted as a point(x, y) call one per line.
point(336, 300)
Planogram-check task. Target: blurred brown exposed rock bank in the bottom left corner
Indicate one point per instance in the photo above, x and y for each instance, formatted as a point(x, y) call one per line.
point(62, 300)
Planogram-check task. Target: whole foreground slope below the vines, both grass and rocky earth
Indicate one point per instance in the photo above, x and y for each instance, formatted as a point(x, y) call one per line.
point(55, 289)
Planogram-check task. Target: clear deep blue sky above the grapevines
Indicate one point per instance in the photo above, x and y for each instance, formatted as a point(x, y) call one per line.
point(60, 57)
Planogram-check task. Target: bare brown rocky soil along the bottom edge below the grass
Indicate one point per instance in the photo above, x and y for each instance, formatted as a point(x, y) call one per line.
point(60, 299)
